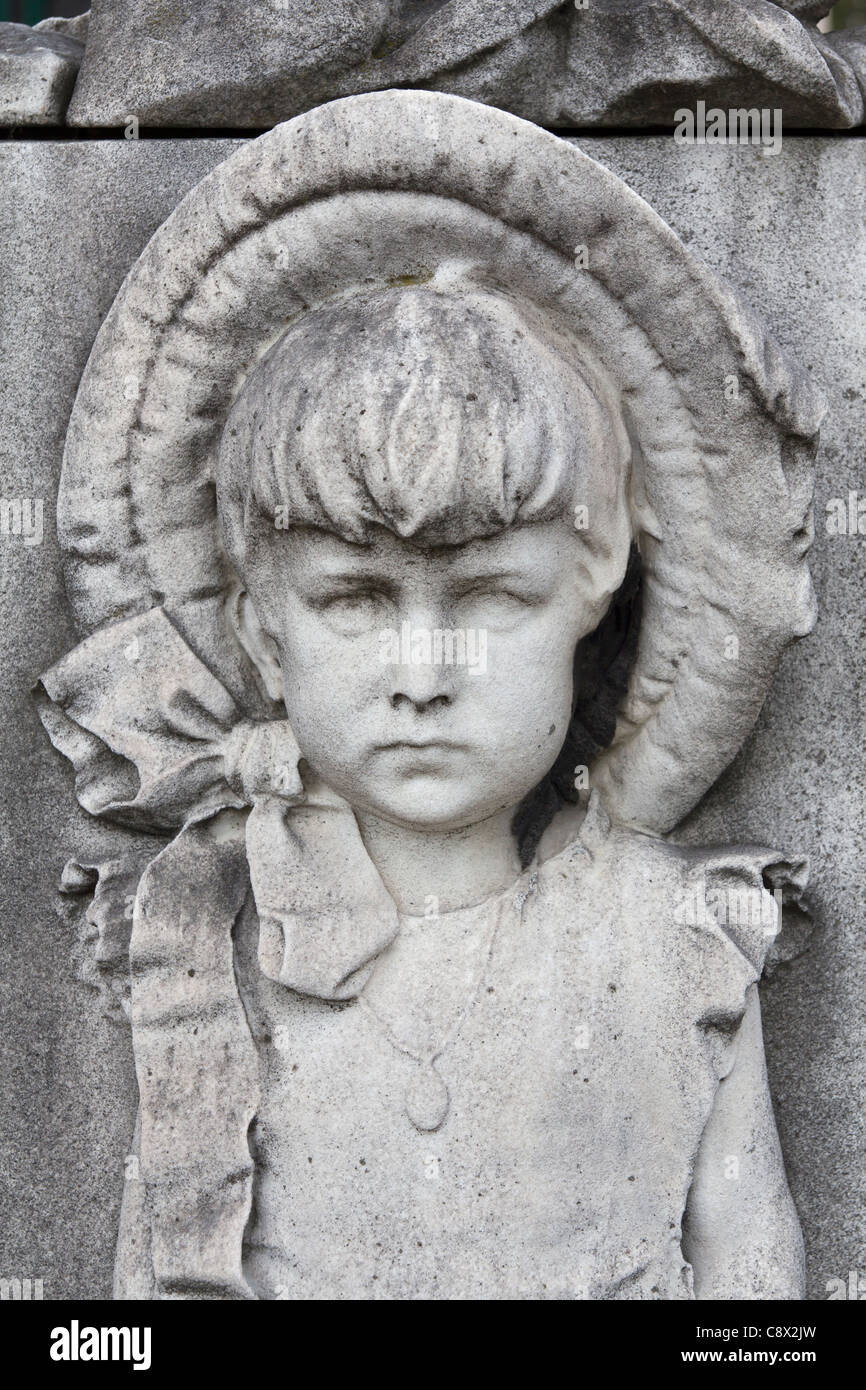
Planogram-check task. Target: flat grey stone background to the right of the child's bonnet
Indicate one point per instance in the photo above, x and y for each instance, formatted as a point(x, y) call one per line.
point(768, 227)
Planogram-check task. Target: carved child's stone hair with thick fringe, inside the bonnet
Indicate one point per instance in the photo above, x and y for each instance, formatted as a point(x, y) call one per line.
point(446, 418)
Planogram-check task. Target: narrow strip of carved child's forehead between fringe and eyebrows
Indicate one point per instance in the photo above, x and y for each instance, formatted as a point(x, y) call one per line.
point(519, 547)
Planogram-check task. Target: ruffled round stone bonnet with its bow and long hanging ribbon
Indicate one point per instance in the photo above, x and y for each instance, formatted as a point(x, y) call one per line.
point(159, 711)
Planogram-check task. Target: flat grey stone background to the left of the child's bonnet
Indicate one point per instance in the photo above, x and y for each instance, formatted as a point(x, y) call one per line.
point(69, 1090)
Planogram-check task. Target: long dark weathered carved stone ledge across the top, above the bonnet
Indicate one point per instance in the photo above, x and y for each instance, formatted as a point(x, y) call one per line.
point(614, 63)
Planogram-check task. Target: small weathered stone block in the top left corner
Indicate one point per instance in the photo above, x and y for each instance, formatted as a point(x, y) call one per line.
point(38, 70)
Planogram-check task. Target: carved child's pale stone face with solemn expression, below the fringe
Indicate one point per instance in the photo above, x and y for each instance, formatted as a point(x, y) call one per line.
point(433, 744)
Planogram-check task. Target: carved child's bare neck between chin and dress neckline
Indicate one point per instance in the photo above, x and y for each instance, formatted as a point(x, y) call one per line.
point(430, 872)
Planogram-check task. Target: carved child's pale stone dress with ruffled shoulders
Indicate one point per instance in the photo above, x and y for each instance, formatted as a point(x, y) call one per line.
point(511, 1109)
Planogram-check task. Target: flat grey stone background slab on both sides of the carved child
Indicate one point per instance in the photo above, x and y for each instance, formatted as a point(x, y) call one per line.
point(789, 231)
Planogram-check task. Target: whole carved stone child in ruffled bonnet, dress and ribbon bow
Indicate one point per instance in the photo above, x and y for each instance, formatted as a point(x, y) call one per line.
point(340, 400)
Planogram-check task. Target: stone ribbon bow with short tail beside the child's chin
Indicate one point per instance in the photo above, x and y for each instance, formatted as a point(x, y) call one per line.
point(158, 743)
